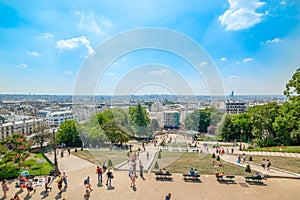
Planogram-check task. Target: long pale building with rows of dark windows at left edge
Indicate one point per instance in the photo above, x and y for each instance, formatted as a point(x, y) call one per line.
point(26, 127)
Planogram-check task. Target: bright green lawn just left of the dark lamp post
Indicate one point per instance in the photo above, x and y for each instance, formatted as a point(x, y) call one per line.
point(37, 165)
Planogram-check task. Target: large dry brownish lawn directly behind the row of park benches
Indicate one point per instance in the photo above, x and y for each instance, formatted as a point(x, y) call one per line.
point(202, 162)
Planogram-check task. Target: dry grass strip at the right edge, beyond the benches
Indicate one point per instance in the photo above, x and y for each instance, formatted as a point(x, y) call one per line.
point(285, 163)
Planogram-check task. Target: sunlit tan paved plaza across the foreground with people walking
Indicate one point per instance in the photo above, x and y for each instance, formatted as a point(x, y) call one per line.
point(78, 169)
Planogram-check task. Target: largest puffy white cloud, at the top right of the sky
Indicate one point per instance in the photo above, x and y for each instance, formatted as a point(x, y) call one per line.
point(242, 14)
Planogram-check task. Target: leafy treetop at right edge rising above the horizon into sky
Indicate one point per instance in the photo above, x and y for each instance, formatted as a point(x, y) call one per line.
point(292, 90)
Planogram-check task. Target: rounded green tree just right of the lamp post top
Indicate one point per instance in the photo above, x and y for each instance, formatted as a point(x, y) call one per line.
point(67, 133)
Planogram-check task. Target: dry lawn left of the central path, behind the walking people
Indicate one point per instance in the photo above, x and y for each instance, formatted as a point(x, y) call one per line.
point(100, 156)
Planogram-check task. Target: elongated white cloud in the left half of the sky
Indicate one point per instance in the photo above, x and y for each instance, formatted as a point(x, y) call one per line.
point(74, 43)
